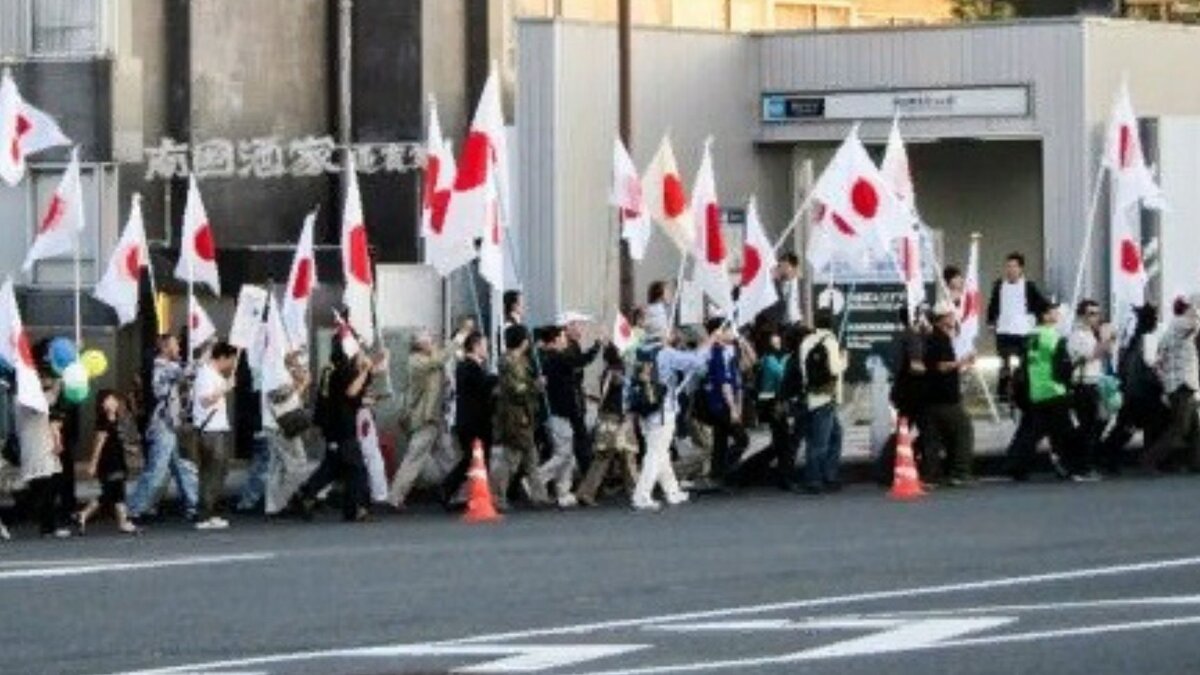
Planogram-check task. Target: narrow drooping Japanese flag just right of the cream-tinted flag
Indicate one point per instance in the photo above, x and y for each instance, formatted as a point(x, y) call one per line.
point(711, 272)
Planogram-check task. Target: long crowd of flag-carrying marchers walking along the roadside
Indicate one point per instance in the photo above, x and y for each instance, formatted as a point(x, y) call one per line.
point(668, 415)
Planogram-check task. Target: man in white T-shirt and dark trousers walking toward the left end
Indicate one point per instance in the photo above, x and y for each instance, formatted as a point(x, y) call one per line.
point(214, 383)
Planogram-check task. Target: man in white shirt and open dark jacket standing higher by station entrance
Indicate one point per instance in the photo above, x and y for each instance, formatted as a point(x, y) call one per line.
point(1011, 313)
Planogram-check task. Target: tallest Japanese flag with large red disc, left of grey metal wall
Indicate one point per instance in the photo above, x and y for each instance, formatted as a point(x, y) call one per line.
point(478, 205)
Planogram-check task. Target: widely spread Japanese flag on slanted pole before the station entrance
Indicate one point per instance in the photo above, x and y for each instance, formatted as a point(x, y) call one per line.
point(860, 204)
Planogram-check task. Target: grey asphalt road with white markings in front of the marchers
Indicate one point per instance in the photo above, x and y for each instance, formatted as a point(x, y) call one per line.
point(1040, 578)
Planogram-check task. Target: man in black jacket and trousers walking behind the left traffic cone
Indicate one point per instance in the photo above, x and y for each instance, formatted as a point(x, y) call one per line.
point(476, 398)
